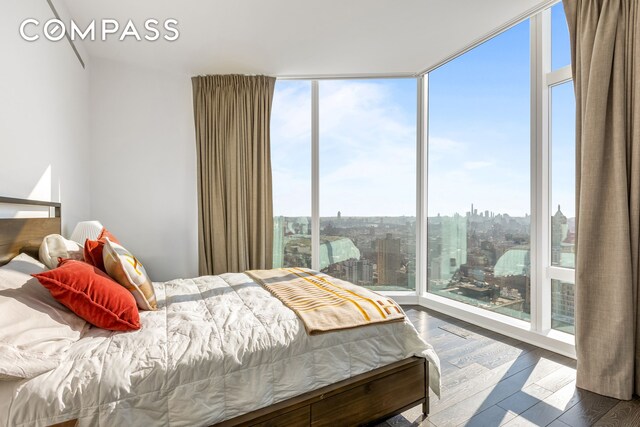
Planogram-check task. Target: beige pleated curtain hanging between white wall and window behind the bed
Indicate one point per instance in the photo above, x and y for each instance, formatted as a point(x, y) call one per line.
point(235, 211)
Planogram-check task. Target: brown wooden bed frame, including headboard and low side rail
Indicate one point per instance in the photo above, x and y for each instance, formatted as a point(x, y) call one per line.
point(364, 399)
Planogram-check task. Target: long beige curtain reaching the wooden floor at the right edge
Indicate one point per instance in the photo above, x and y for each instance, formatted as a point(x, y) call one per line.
point(605, 47)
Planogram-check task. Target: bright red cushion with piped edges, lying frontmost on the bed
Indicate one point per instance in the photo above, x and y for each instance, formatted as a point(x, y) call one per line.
point(92, 295)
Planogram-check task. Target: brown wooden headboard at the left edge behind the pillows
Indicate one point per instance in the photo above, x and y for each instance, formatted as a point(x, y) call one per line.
point(25, 234)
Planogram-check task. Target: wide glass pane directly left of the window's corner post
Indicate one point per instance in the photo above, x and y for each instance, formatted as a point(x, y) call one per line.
point(368, 182)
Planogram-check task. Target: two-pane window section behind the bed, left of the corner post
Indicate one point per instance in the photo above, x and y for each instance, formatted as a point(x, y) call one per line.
point(366, 179)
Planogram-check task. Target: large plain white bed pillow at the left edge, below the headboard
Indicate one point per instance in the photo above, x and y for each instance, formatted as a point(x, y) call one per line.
point(35, 329)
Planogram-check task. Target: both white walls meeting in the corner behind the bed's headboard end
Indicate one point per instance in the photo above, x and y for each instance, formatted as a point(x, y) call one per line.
point(111, 142)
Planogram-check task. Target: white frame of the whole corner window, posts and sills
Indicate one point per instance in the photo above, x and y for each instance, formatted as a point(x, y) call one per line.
point(538, 331)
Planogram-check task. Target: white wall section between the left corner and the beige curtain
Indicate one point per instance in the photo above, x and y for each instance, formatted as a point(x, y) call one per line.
point(143, 174)
